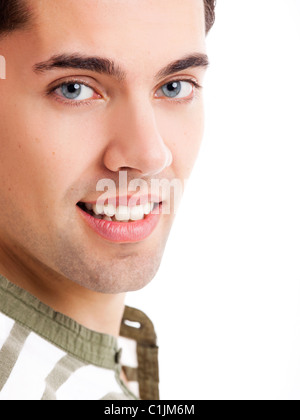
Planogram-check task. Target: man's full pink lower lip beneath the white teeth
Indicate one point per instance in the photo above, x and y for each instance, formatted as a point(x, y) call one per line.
point(130, 232)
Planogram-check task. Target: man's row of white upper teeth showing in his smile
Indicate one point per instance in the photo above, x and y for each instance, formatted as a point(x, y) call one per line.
point(121, 213)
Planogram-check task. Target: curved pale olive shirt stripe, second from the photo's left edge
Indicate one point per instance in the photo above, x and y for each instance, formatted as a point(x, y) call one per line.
point(59, 375)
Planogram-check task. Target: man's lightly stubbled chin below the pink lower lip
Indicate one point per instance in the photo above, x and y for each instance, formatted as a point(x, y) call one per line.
point(110, 270)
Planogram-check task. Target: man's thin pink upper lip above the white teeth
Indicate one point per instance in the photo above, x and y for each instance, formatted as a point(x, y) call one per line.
point(125, 200)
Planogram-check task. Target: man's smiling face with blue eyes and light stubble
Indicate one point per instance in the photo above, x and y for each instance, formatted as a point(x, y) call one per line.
point(64, 127)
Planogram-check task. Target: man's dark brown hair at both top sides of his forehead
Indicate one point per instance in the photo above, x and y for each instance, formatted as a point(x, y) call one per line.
point(14, 14)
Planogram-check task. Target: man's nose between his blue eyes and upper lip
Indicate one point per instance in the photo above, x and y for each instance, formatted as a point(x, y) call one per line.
point(135, 141)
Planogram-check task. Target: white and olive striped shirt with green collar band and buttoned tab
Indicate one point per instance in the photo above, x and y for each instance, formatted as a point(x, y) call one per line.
point(45, 355)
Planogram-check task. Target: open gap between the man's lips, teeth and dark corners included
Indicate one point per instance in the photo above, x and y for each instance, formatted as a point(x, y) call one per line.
point(119, 214)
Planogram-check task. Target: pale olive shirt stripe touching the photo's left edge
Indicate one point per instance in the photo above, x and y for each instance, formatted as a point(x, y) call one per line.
point(10, 352)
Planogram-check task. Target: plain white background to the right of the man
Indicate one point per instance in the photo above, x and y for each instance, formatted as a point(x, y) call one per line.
point(226, 301)
